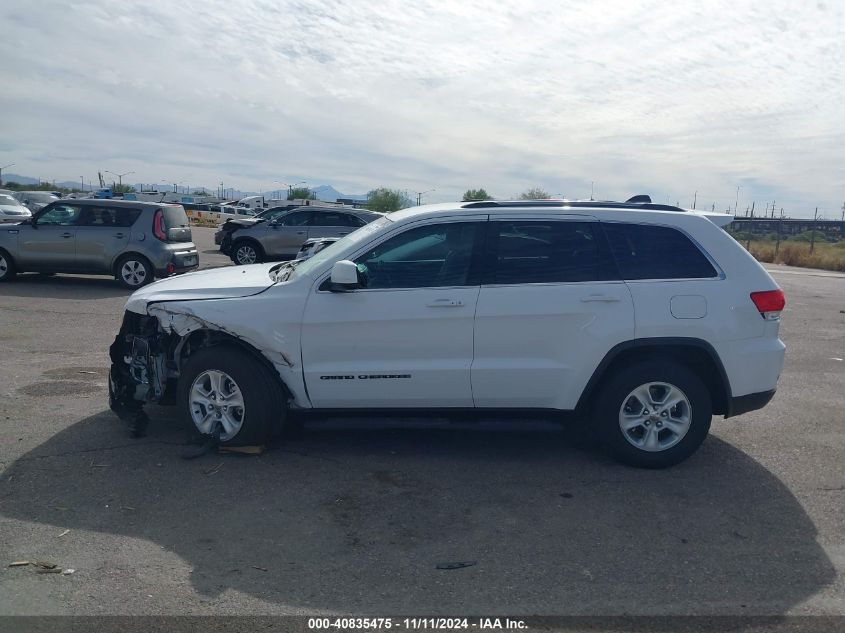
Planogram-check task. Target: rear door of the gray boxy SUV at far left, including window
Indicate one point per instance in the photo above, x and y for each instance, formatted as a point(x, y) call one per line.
point(102, 235)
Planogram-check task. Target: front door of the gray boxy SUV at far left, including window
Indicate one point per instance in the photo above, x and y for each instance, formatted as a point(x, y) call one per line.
point(50, 244)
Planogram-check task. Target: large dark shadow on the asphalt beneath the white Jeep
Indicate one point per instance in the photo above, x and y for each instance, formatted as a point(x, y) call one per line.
point(354, 519)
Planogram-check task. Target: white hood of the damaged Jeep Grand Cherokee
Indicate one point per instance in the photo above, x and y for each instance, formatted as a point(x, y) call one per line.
point(217, 283)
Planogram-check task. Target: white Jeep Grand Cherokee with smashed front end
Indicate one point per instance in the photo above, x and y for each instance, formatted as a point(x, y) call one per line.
point(641, 319)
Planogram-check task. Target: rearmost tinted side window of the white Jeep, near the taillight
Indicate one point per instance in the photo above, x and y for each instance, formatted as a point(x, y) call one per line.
point(656, 252)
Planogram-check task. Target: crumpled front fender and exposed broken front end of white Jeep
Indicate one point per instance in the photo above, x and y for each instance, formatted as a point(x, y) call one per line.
point(146, 356)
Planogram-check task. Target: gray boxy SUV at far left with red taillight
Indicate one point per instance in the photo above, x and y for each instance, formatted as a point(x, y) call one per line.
point(134, 241)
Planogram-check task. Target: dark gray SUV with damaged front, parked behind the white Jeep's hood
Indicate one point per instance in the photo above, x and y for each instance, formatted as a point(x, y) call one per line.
point(281, 237)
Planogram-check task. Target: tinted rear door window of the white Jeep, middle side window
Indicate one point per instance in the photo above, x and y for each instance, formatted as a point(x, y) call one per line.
point(535, 251)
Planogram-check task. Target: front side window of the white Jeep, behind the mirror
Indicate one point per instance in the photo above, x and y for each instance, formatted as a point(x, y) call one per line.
point(425, 257)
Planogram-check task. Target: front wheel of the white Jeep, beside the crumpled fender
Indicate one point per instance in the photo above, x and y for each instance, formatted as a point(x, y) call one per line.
point(225, 392)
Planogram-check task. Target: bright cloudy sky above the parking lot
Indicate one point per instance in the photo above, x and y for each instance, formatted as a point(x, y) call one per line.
point(666, 98)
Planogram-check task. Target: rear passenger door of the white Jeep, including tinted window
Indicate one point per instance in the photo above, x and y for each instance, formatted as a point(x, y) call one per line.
point(550, 307)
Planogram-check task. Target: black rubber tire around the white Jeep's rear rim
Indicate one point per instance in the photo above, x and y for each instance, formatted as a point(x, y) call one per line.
point(614, 395)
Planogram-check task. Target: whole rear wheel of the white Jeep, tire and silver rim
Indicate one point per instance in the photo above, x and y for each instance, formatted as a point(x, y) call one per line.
point(654, 414)
